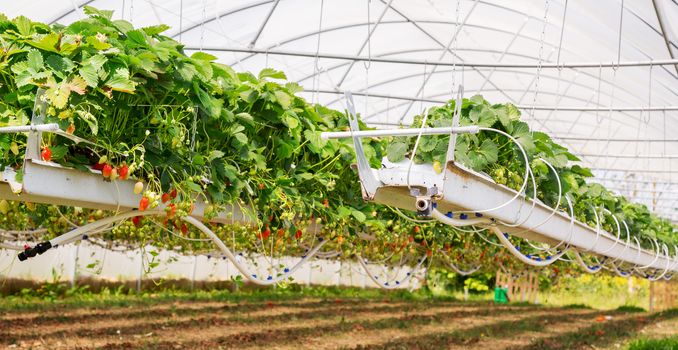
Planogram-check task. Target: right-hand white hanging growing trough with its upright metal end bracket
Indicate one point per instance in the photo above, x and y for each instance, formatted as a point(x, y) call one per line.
point(461, 197)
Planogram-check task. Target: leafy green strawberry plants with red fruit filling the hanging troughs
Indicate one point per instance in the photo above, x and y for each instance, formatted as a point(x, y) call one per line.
point(188, 127)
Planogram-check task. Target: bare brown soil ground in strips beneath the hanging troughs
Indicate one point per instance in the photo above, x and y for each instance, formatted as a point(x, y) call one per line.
point(328, 324)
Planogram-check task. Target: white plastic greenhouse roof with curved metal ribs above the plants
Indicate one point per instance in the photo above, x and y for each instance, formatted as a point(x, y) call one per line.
point(618, 111)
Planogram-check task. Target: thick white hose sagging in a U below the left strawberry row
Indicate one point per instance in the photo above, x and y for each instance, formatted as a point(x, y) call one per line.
point(229, 255)
